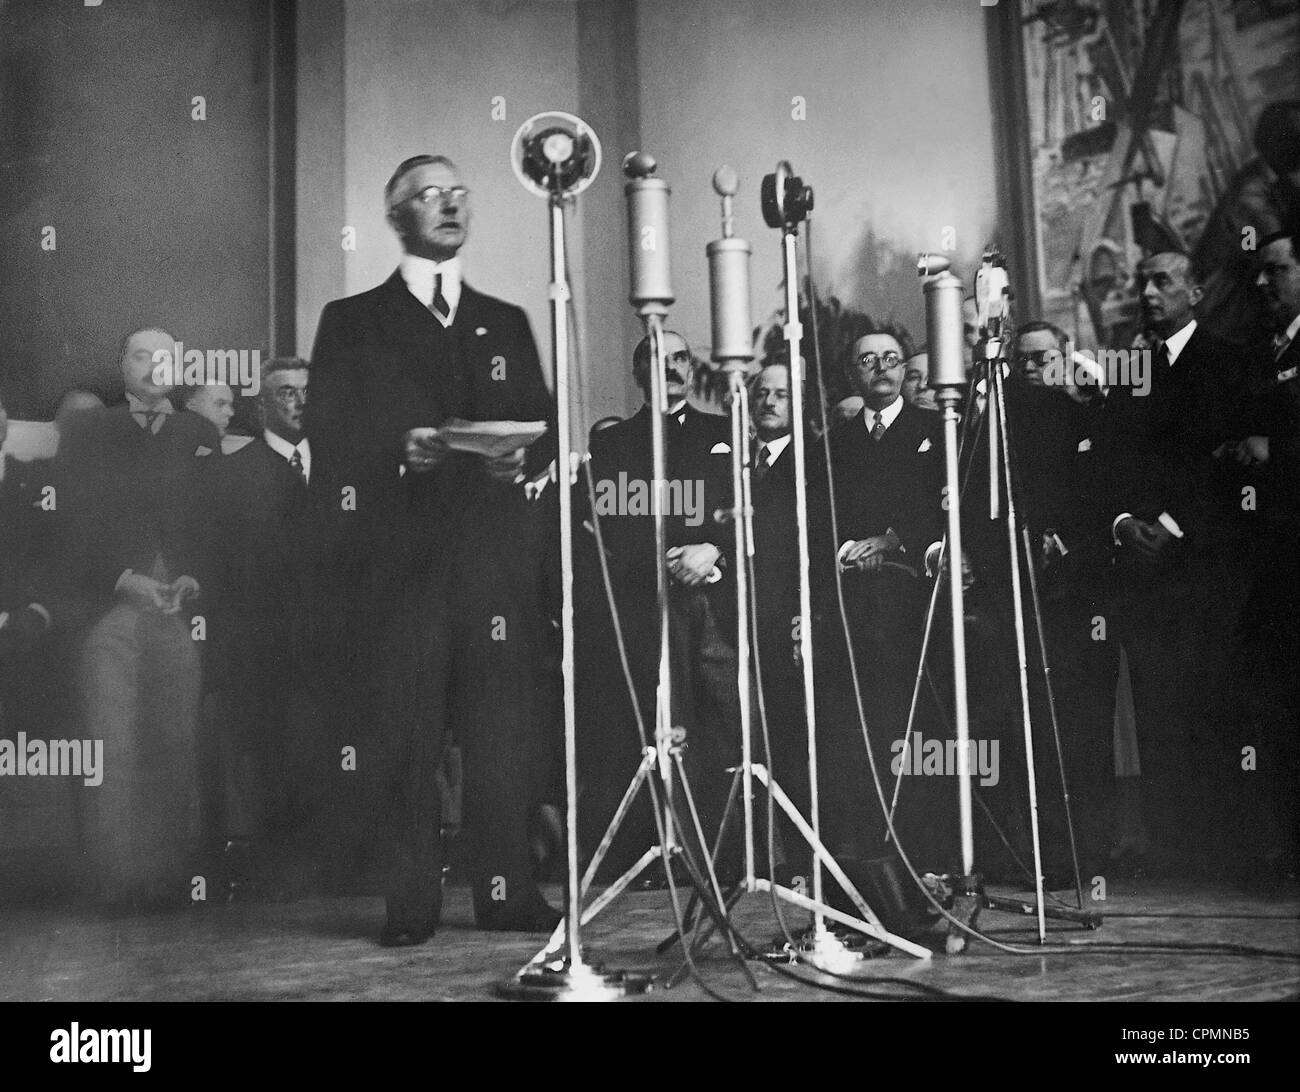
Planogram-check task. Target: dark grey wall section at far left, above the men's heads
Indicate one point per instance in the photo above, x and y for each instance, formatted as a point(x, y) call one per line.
point(159, 219)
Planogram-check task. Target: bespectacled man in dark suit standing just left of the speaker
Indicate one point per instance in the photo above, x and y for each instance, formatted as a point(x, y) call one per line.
point(262, 678)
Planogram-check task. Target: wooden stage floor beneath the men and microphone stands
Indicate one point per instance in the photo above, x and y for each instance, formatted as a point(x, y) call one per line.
point(323, 950)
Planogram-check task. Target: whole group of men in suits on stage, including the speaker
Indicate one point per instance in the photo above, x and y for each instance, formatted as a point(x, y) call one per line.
point(289, 630)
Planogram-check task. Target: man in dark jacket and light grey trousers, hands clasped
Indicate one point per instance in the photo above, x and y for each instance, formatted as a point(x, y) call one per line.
point(131, 504)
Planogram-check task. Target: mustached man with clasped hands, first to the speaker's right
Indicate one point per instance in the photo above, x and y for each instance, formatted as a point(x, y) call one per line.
point(703, 599)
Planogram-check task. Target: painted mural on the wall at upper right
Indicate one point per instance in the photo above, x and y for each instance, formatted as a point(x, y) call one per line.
point(1158, 125)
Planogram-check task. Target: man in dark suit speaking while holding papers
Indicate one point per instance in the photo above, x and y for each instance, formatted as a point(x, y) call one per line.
point(441, 554)
